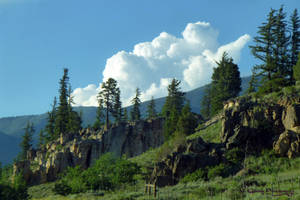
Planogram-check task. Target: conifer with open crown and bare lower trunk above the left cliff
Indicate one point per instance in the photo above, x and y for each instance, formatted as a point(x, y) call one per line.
point(108, 93)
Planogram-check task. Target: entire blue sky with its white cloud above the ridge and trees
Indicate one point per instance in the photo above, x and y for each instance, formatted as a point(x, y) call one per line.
point(139, 43)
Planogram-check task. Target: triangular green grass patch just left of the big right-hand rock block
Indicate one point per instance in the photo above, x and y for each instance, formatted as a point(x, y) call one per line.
point(210, 134)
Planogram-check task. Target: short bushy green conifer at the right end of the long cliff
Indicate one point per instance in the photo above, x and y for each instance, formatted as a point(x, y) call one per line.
point(187, 121)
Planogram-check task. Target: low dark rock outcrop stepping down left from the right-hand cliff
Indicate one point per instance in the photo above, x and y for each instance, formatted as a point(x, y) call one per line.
point(186, 159)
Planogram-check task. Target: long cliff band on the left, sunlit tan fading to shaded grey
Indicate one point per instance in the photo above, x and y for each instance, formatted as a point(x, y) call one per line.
point(87, 146)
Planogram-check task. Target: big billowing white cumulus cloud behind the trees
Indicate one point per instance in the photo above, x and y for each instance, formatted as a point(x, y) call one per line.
point(151, 65)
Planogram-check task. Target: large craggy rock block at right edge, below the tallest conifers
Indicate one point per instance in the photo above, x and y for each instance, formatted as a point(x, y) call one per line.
point(258, 125)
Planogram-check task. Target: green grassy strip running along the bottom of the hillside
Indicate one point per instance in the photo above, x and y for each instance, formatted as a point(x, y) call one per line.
point(217, 188)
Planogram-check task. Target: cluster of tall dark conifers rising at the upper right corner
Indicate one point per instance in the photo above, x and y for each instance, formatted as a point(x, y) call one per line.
point(277, 48)
